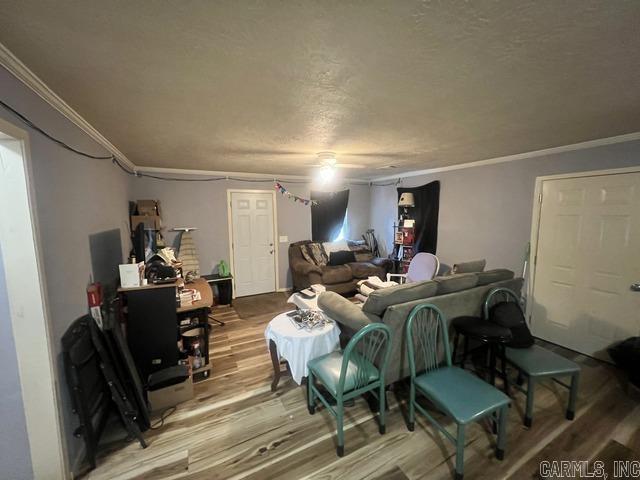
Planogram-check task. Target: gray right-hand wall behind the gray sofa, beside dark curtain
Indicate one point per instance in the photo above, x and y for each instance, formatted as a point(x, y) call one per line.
point(485, 212)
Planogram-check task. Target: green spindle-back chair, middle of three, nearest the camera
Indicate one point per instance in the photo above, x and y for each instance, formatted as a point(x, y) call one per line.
point(457, 392)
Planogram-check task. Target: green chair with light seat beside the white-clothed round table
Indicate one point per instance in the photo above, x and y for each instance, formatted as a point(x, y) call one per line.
point(350, 373)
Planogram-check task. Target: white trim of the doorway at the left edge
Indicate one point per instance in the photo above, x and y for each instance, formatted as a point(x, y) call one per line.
point(28, 301)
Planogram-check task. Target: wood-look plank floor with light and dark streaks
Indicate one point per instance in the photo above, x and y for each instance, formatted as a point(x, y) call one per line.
point(236, 428)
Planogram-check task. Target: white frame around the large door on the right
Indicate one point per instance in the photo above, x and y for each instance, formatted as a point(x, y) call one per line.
point(535, 222)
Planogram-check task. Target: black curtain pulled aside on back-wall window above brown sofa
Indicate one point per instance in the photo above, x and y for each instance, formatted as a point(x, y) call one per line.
point(328, 216)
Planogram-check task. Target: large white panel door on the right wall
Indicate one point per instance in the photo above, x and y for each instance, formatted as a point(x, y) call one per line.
point(588, 257)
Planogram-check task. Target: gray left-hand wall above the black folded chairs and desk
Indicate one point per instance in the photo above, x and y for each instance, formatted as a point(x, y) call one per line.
point(75, 197)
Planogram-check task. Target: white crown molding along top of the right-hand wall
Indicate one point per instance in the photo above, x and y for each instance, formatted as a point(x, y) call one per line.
point(629, 137)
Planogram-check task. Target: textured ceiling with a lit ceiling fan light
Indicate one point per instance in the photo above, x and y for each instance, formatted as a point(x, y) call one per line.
point(262, 86)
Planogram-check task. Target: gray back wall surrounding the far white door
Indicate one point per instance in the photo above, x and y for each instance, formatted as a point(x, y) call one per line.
point(204, 205)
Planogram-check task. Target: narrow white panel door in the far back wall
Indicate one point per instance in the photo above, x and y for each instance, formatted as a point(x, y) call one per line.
point(252, 219)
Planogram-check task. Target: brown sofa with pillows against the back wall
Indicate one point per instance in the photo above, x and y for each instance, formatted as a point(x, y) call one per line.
point(340, 279)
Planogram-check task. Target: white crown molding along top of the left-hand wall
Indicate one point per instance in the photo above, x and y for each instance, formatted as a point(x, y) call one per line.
point(19, 70)
